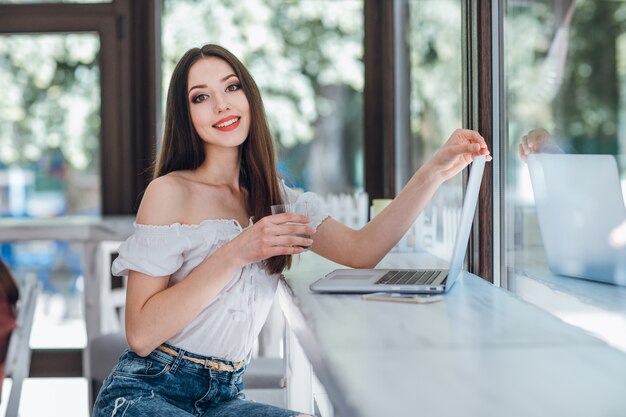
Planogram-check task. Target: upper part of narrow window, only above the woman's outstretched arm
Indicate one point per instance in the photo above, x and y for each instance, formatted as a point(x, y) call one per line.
point(435, 51)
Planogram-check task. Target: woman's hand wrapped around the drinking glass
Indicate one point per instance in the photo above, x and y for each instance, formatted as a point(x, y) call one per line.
point(274, 235)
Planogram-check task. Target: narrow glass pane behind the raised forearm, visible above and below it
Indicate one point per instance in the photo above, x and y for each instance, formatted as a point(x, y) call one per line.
point(434, 35)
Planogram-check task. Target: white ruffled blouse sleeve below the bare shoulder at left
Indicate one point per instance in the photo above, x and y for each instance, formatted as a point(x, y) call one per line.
point(152, 250)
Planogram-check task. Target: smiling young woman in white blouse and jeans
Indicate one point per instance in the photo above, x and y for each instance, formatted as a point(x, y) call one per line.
point(205, 259)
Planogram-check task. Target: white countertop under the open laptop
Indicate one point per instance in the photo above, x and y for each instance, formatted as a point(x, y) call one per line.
point(481, 352)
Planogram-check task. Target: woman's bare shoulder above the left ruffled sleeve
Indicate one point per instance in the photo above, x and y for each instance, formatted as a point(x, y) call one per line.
point(163, 201)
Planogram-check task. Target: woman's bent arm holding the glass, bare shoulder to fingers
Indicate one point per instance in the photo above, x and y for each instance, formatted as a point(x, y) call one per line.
point(156, 312)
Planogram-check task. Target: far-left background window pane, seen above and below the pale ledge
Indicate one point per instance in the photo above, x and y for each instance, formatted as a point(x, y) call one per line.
point(50, 164)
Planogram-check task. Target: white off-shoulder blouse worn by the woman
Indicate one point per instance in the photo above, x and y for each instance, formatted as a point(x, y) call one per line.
point(230, 323)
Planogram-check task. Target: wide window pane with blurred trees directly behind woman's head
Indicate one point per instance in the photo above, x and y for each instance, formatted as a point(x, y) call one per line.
point(307, 58)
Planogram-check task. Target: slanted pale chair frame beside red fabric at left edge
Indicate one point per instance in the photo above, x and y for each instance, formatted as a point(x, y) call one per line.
point(17, 365)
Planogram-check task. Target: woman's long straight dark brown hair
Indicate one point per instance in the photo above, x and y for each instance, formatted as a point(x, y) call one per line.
point(182, 148)
